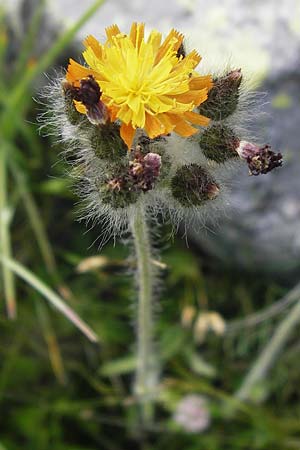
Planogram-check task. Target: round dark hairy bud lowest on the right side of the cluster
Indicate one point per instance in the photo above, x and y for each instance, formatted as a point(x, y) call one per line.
point(193, 185)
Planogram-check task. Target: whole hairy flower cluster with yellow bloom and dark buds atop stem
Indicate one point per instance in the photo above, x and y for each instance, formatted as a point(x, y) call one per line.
point(146, 127)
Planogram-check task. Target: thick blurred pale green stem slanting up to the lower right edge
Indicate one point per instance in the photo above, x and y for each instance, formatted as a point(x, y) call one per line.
point(270, 353)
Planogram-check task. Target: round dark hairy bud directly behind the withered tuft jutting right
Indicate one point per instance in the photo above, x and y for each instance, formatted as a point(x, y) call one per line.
point(219, 143)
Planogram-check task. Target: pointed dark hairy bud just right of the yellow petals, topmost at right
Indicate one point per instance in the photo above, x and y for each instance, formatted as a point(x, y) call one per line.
point(223, 98)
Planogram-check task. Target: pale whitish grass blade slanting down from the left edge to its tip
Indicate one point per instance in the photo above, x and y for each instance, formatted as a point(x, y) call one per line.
point(49, 295)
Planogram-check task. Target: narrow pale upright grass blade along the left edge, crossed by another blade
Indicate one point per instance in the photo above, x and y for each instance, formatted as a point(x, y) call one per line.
point(5, 238)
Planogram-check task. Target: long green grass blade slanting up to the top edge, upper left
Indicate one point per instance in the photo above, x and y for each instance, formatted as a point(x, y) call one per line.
point(15, 103)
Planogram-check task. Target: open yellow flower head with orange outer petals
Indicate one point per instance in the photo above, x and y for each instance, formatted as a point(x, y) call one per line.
point(145, 84)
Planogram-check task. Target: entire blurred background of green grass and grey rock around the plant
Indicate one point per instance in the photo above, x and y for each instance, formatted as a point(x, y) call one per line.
point(228, 295)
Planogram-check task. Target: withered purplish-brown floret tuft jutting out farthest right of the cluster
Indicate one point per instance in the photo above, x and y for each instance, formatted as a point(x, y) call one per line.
point(260, 160)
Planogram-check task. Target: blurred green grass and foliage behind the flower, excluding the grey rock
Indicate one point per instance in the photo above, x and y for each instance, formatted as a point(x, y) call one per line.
point(60, 391)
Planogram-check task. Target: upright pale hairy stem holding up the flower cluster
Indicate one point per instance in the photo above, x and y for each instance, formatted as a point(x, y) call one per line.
point(147, 367)
